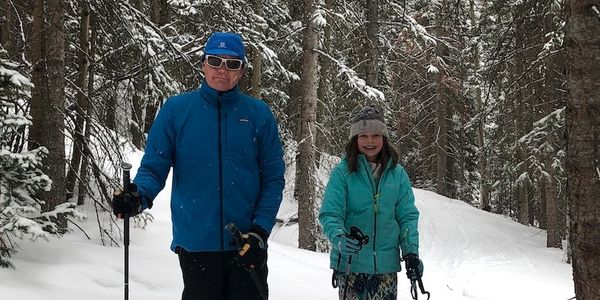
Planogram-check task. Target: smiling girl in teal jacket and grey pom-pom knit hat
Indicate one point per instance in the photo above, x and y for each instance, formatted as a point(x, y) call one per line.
point(369, 190)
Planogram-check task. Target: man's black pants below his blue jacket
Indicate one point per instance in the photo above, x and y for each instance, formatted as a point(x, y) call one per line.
point(214, 276)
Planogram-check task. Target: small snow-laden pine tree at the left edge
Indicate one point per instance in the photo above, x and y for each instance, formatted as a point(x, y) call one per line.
point(22, 177)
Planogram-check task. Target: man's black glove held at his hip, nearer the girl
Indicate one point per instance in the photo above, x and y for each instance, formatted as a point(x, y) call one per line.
point(254, 251)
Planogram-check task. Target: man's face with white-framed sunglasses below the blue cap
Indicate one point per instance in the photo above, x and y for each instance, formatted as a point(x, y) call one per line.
point(222, 78)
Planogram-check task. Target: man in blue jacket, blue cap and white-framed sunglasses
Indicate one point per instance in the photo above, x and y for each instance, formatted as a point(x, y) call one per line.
point(228, 167)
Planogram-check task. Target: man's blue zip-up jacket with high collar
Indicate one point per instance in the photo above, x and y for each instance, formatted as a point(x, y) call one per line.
point(227, 162)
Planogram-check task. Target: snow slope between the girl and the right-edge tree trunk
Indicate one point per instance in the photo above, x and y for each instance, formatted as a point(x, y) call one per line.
point(473, 254)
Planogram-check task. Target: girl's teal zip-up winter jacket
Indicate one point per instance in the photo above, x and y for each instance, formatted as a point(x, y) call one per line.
point(385, 212)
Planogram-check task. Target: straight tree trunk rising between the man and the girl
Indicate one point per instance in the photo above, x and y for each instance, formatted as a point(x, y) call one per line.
point(305, 160)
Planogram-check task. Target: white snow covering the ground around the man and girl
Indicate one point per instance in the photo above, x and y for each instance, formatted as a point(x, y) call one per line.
point(468, 254)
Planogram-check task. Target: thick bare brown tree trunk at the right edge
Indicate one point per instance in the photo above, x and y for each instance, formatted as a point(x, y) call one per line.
point(583, 138)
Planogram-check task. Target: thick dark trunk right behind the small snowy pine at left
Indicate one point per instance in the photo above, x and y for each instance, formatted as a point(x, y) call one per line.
point(48, 98)
